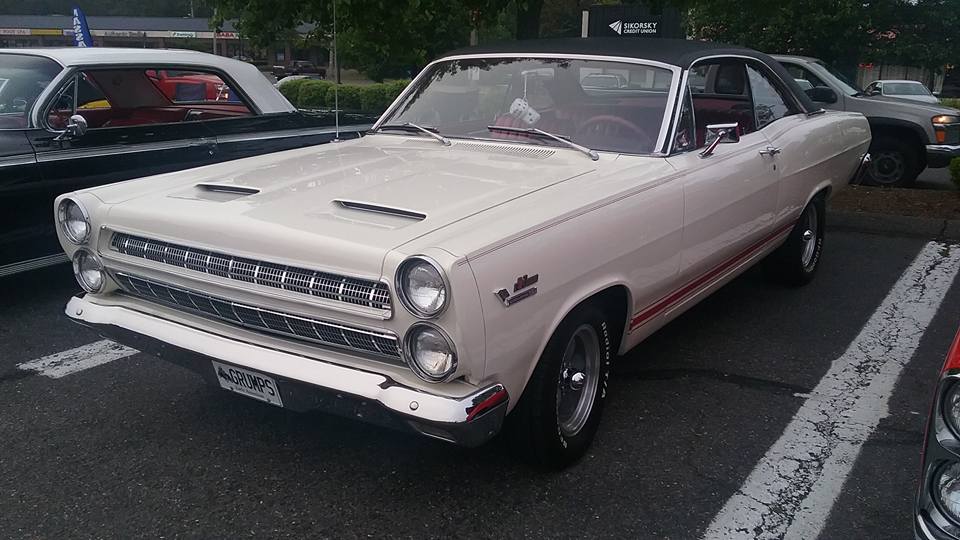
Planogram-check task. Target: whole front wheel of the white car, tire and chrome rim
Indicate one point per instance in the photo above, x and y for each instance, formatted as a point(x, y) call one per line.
point(558, 414)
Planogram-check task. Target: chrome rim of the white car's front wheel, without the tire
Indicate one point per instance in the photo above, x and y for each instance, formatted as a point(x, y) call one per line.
point(578, 381)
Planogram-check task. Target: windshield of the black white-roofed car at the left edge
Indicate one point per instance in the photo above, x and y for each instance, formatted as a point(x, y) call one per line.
point(22, 79)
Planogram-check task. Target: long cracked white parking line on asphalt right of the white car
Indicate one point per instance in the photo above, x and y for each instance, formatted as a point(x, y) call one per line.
point(790, 492)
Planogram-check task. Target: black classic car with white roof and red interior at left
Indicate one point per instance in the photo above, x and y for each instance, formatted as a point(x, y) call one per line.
point(75, 118)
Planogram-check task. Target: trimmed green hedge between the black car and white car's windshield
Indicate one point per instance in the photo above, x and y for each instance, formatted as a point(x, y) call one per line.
point(319, 94)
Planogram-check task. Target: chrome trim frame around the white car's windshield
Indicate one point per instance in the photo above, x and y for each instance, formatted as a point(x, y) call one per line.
point(668, 111)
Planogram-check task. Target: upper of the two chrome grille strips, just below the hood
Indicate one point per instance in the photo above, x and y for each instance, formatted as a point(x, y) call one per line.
point(359, 292)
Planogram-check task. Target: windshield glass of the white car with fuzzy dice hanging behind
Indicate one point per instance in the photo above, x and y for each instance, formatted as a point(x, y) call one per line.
point(607, 106)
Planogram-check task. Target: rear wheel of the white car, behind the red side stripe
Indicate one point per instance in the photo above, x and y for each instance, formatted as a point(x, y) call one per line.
point(795, 263)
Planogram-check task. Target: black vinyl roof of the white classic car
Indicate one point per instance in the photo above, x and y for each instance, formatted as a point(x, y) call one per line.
point(676, 52)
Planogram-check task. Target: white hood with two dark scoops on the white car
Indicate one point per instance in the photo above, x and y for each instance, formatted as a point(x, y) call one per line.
point(338, 207)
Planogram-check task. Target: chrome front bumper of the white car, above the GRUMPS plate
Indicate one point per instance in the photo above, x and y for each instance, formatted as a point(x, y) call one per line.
point(305, 383)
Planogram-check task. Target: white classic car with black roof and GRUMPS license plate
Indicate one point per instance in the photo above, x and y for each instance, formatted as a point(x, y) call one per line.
point(477, 260)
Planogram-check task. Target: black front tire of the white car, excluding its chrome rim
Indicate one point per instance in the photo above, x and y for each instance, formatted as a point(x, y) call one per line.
point(534, 428)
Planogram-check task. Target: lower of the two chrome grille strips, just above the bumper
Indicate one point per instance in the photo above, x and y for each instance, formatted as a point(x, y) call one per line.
point(294, 326)
